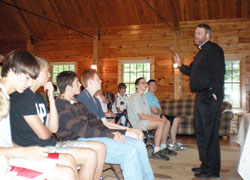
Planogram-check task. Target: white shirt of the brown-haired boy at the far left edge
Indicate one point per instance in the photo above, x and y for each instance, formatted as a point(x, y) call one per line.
point(5, 131)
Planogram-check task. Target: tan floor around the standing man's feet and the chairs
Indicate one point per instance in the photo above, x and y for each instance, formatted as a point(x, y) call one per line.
point(178, 168)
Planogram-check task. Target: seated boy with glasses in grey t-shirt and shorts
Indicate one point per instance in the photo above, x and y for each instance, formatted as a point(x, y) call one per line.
point(140, 116)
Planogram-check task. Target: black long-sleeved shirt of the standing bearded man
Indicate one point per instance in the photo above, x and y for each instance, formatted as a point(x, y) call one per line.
point(207, 70)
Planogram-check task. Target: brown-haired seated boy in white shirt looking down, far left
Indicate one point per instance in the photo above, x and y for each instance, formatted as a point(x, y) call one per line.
point(17, 72)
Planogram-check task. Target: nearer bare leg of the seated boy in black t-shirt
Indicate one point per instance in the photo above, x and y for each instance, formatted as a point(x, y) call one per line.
point(87, 159)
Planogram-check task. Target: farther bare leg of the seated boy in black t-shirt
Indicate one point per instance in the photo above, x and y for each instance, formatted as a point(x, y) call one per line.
point(100, 149)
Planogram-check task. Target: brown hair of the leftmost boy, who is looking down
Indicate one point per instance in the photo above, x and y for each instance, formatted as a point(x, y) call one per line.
point(21, 61)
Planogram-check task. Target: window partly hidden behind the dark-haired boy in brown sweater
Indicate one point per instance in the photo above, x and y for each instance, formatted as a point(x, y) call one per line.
point(56, 68)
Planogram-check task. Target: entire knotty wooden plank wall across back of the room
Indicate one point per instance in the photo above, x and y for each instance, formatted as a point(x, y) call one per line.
point(155, 42)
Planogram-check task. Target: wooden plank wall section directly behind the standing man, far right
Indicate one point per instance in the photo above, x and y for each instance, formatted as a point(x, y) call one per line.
point(233, 36)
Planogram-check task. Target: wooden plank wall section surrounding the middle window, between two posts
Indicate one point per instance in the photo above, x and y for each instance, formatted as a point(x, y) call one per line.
point(155, 42)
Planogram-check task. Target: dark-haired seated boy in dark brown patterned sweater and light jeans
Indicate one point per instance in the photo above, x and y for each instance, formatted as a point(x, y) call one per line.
point(77, 121)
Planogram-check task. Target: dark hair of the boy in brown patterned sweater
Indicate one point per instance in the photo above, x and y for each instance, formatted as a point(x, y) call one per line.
point(64, 79)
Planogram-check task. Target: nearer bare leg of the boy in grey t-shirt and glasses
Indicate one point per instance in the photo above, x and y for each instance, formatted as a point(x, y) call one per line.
point(159, 126)
